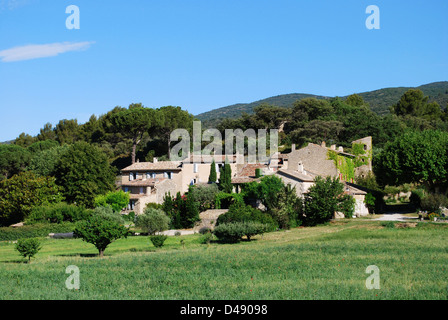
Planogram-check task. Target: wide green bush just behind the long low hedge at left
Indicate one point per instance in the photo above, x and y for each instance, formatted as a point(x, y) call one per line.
point(58, 213)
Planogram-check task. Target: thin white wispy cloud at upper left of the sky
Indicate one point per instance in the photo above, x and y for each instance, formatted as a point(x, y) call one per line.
point(35, 51)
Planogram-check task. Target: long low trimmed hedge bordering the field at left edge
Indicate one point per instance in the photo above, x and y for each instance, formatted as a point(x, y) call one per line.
point(34, 231)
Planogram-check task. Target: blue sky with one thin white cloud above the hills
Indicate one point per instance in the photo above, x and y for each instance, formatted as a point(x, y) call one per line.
point(206, 54)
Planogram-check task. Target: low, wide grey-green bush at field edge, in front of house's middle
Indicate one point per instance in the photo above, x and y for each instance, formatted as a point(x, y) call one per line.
point(235, 231)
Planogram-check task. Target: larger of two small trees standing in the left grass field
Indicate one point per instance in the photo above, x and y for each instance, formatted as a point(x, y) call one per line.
point(100, 232)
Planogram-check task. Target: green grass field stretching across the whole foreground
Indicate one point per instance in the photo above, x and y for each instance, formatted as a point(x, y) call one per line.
point(324, 262)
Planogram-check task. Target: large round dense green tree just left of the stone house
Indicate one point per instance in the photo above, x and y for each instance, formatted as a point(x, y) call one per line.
point(84, 172)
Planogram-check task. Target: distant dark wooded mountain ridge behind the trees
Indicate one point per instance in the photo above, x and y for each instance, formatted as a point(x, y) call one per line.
point(379, 100)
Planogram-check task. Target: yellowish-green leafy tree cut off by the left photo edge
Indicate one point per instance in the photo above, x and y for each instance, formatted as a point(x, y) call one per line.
point(23, 192)
